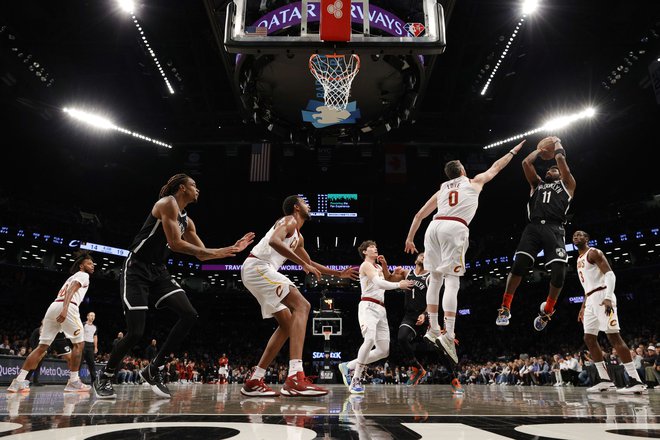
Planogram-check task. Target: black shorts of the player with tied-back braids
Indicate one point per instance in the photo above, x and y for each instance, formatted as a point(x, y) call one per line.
point(141, 282)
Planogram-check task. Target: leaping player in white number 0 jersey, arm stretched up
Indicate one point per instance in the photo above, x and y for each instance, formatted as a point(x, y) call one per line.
point(446, 241)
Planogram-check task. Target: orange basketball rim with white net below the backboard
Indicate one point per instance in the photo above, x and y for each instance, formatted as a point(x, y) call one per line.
point(336, 74)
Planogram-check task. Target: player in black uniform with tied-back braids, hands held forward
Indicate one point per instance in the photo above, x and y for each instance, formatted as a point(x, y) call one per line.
point(145, 277)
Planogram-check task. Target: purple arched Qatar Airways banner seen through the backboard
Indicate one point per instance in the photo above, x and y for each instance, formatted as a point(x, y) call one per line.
point(289, 15)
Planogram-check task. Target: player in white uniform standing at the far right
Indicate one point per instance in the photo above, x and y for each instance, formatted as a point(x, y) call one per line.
point(599, 314)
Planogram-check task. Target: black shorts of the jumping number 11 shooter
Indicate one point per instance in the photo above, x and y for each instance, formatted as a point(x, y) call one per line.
point(549, 238)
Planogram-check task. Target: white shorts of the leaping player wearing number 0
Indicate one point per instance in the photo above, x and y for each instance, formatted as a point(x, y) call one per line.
point(445, 244)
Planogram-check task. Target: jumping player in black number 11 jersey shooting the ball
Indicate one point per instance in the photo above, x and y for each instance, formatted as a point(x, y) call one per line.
point(548, 203)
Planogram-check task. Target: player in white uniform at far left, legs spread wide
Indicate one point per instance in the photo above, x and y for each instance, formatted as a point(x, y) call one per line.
point(62, 316)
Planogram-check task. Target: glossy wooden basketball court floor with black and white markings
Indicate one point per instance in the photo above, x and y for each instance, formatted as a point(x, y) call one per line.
point(384, 412)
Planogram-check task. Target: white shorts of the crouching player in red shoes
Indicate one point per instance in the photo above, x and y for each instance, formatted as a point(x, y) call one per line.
point(266, 284)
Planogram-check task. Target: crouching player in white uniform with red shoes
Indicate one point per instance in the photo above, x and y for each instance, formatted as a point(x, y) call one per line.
point(280, 299)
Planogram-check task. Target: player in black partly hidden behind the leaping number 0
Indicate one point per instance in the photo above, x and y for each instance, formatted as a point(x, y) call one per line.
point(414, 317)
